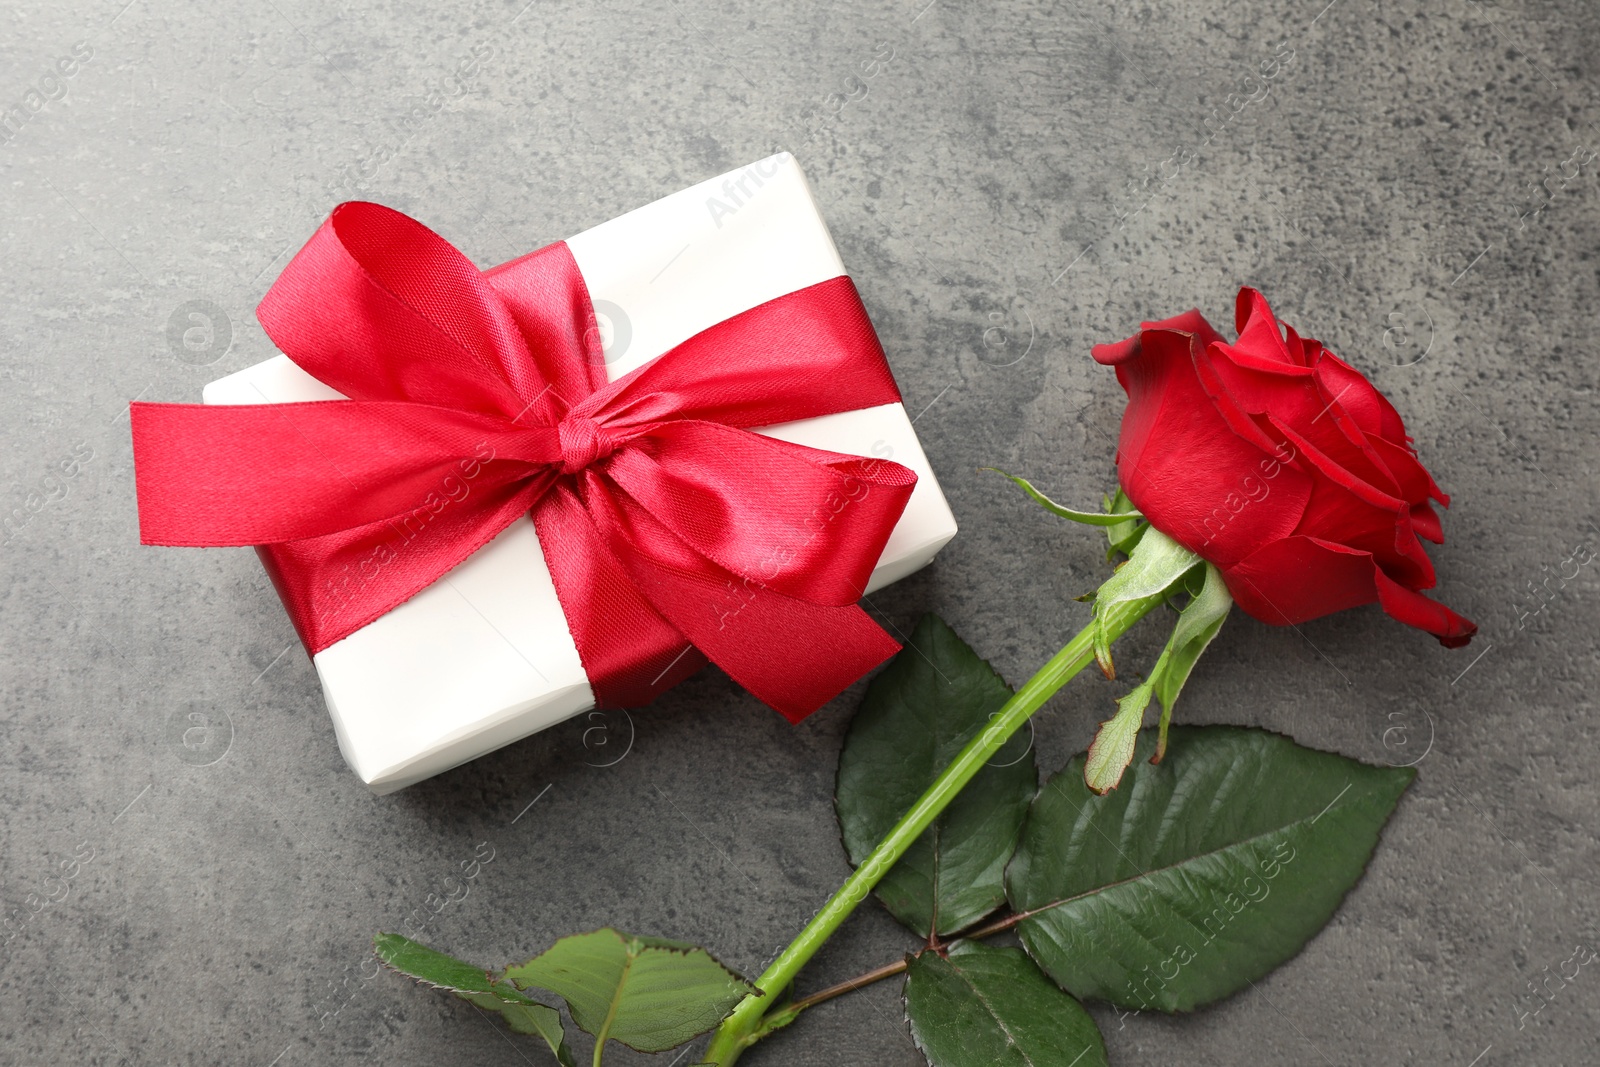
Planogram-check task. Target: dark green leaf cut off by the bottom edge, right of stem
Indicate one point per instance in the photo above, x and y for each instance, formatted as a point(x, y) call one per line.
point(993, 1009)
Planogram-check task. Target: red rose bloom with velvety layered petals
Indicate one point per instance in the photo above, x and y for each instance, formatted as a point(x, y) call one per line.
point(1284, 466)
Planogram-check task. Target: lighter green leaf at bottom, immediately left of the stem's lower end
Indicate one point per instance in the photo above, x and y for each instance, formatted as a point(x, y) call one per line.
point(644, 993)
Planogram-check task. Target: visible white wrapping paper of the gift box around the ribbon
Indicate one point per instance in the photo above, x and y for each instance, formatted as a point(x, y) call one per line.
point(484, 657)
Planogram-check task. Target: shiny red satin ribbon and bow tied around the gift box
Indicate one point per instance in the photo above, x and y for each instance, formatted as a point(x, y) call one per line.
point(476, 398)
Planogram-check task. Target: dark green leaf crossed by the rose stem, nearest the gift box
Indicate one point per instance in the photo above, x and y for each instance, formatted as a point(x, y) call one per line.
point(916, 717)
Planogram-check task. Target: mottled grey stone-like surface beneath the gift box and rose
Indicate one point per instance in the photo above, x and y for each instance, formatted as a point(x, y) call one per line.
point(998, 190)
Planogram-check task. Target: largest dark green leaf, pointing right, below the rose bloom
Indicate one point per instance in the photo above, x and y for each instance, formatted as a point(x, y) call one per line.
point(1202, 873)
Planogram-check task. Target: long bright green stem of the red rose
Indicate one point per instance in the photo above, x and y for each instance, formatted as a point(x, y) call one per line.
point(750, 1023)
